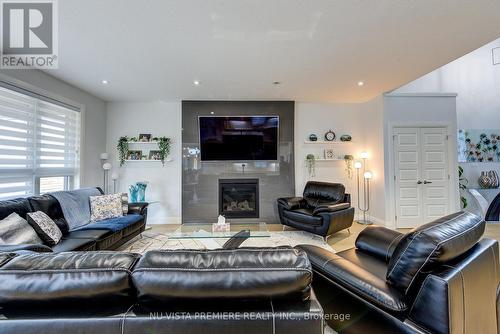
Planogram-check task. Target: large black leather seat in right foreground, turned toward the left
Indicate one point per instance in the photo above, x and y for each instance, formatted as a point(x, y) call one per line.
point(439, 278)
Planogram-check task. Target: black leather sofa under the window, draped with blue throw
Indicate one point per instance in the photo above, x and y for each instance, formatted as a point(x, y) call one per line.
point(92, 237)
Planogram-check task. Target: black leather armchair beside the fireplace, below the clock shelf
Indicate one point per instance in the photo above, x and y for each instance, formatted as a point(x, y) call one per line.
point(324, 209)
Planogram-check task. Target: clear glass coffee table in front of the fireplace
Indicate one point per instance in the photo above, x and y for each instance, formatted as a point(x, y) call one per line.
point(197, 231)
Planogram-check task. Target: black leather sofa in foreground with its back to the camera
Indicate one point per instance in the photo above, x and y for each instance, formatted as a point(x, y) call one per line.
point(262, 291)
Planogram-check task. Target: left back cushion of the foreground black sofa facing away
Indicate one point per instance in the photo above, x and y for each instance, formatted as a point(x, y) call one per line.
point(67, 278)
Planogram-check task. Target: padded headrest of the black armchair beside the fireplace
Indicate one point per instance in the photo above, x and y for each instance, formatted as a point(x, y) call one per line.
point(319, 193)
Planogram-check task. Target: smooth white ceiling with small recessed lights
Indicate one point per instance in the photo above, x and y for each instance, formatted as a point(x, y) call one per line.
point(318, 50)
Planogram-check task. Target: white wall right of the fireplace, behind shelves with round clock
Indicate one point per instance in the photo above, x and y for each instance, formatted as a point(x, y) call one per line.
point(363, 121)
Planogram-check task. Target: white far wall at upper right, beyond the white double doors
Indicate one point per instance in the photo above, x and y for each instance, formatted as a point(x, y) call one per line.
point(477, 83)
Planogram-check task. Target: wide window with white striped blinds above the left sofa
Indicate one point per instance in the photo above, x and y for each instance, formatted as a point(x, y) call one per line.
point(39, 145)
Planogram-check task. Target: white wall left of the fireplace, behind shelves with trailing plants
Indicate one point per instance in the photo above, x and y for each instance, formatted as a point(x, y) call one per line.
point(159, 119)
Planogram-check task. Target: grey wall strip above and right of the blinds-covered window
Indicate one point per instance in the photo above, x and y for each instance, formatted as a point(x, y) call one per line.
point(93, 122)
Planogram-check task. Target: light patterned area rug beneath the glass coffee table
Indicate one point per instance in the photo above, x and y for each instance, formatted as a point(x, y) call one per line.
point(153, 240)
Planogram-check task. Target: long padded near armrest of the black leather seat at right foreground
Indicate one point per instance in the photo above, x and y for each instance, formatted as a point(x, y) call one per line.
point(355, 279)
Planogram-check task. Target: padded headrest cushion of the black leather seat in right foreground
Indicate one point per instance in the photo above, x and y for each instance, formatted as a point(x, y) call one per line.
point(432, 244)
